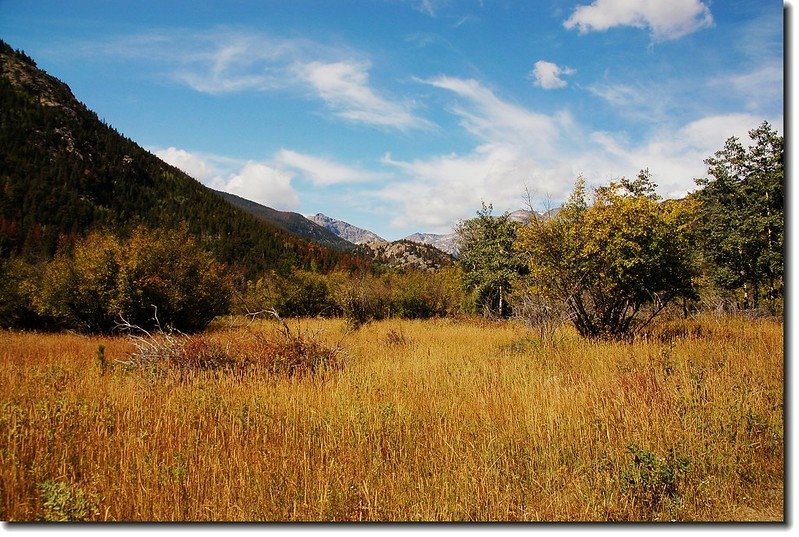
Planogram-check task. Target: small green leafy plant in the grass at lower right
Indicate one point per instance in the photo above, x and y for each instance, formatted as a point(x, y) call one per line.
point(652, 481)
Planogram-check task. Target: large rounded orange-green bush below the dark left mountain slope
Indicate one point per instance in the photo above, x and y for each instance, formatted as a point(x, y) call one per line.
point(153, 273)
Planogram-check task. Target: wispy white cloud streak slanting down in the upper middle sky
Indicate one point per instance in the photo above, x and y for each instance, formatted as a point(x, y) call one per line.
point(344, 86)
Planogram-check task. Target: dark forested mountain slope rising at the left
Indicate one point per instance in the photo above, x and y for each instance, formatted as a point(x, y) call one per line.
point(63, 172)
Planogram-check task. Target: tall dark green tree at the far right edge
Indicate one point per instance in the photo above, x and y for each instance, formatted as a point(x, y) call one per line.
point(741, 217)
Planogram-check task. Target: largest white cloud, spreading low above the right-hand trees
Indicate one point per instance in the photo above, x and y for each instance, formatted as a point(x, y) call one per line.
point(517, 148)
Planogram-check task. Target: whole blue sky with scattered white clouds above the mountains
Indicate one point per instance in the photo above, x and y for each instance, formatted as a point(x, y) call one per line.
point(403, 116)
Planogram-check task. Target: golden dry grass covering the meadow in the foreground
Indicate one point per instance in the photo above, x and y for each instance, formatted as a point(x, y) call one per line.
point(428, 420)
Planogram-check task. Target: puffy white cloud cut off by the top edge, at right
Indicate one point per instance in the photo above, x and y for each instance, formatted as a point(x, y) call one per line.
point(665, 19)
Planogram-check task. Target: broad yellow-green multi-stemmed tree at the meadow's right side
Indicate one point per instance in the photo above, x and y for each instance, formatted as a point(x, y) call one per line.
point(614, 264)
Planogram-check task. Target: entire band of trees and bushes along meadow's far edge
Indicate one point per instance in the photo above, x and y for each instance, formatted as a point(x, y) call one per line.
point(609, 262)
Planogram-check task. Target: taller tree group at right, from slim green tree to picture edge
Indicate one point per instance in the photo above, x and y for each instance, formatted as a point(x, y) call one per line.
point(615, 257)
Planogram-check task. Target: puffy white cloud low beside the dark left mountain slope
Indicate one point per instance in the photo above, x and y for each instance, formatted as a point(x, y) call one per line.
point(256, 181)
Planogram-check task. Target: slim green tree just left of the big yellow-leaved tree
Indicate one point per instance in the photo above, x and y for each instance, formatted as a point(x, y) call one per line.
point(489, 262)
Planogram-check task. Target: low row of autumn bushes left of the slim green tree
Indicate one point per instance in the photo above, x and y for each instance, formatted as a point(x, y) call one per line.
point(168, 279)
